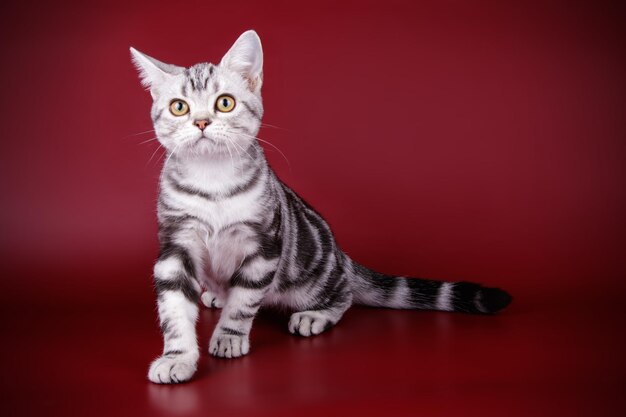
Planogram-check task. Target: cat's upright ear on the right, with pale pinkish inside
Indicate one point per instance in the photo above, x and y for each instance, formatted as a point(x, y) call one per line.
point(246, 58)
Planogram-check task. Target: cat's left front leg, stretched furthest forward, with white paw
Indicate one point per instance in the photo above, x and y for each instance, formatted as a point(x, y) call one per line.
point(177, 293)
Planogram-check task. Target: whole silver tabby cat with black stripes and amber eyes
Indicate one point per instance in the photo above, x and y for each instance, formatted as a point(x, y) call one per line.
point(234, 236)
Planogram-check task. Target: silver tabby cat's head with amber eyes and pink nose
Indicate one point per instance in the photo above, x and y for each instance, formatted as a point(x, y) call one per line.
point(207, 108)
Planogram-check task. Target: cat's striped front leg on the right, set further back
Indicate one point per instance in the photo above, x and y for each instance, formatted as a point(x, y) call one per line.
point(248, 286)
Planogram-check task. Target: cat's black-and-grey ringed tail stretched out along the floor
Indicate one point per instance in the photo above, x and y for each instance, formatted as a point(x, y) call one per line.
point(378, 290)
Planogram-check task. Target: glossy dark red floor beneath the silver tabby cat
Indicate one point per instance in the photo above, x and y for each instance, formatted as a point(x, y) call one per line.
point(535, 359)
